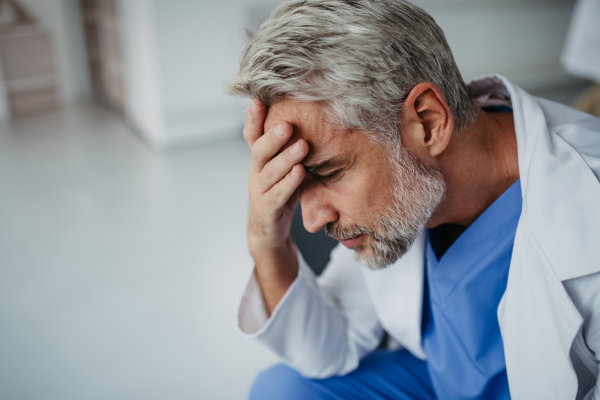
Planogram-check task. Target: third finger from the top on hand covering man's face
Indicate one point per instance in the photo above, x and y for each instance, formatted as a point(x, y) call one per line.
point(278, 167)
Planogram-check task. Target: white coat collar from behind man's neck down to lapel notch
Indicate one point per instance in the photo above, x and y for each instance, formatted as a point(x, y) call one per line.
point(556, 183)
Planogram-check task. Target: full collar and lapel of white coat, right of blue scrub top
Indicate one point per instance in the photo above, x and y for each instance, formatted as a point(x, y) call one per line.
point(555, 240)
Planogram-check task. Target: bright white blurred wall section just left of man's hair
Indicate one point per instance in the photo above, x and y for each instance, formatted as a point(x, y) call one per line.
point(199, 45)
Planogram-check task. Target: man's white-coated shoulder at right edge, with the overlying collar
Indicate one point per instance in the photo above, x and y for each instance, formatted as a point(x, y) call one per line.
point(559, 165)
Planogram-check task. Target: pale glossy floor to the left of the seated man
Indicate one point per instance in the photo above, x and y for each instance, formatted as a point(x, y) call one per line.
point(120, 267)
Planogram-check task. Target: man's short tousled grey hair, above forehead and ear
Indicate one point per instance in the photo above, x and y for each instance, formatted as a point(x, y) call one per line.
point(360, 58)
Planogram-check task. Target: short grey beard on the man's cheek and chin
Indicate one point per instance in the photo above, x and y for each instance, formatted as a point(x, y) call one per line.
point(416, 192)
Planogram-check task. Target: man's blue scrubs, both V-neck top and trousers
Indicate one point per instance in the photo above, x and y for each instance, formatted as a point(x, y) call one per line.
point(461, 336)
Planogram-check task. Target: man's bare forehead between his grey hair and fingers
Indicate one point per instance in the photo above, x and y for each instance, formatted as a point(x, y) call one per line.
point(310, 123)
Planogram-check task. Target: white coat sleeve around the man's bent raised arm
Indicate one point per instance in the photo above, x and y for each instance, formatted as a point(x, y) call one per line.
point(321, 327)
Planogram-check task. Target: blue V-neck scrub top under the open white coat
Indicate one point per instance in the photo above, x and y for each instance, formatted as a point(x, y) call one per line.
point(461, 337)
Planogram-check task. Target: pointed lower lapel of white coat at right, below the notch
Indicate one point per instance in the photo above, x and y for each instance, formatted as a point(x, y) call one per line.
point(538, 323)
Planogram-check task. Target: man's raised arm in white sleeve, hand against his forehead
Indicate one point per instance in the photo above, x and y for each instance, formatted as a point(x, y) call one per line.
point(318, 332)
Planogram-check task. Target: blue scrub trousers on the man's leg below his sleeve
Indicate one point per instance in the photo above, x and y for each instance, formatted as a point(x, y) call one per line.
point(381, 375)
